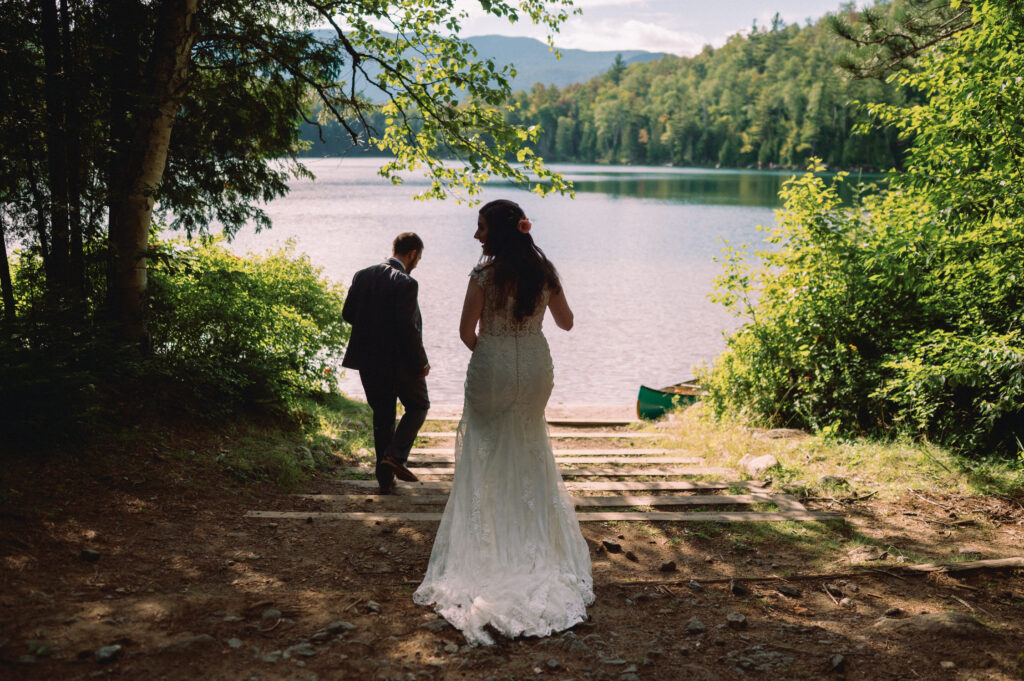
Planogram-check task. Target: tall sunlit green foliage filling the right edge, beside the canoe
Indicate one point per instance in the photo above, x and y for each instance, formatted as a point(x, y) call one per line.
point(904, 312)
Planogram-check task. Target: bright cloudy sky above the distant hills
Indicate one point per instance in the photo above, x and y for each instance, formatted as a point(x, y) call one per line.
point(679, 27)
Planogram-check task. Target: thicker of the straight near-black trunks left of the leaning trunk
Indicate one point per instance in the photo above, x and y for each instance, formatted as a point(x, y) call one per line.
point(57, 151)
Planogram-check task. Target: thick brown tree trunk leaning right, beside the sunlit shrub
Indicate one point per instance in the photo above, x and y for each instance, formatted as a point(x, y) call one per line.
point(167, 75)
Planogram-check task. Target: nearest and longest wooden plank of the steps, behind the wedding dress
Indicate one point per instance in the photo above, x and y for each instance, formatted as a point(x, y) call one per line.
point(649, 517)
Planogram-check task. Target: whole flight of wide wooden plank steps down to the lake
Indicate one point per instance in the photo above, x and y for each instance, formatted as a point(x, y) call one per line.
point(606, 453)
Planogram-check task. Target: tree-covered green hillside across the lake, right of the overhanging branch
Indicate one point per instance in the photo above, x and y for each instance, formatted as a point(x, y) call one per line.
point(775, 97)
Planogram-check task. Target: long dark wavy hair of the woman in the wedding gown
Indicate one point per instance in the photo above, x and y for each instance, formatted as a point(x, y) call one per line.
point(521, 268)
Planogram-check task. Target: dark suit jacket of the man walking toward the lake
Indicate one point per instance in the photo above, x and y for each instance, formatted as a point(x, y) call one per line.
point(388, 329)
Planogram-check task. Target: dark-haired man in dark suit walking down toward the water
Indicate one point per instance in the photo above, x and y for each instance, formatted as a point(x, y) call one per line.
point(387, 348)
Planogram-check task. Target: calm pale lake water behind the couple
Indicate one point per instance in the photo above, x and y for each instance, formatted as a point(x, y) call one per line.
point(635, 250)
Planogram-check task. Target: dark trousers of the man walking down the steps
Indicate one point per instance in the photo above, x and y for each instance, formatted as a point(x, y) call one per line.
point(383, 389)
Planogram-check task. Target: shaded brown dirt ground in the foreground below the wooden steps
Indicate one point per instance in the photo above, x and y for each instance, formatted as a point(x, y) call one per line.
point(183, 586)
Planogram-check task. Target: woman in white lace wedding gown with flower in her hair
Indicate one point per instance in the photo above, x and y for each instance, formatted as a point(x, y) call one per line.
point(509, 557)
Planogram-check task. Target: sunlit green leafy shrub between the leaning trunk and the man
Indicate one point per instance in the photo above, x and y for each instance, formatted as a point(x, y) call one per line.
point(232, 331)
